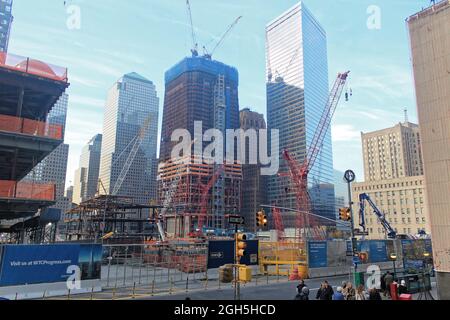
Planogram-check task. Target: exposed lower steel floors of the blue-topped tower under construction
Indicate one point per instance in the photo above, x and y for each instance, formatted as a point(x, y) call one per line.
point(198, 202)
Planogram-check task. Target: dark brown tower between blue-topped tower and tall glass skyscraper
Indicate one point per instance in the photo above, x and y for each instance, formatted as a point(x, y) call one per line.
point(253, 183)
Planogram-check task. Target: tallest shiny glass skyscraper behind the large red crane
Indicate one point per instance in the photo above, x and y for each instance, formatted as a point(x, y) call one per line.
point(297, 92)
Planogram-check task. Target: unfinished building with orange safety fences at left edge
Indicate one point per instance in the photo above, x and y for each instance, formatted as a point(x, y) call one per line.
point(27, 136)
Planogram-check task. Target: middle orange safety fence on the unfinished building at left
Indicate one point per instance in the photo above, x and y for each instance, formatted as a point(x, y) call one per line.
point(30, 127)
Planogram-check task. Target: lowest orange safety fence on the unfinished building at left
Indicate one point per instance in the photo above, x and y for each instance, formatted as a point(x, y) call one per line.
point(27, 190)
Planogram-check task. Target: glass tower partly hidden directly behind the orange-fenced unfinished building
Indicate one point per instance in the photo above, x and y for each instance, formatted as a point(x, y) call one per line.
point(53, 168)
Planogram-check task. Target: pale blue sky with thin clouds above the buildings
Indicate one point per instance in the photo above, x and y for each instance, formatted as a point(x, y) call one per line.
point(150, 36)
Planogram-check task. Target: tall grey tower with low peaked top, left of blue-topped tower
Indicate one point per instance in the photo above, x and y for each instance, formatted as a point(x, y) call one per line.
point(132, 105)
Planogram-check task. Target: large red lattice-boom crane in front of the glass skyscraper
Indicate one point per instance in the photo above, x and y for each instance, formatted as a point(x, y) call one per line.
point(298, 172)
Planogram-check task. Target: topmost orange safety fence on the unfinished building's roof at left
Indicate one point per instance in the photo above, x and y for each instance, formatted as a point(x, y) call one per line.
point(32, 66)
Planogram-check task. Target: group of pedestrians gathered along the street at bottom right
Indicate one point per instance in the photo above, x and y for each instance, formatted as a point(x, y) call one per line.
point(347, 292)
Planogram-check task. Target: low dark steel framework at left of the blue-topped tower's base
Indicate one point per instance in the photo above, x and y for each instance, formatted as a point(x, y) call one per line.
point(122, 218)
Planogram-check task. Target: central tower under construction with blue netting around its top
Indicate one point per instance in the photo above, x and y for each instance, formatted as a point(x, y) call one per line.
point(199, 89)
